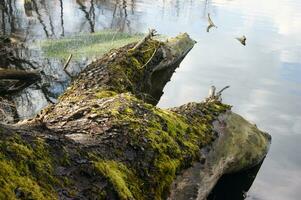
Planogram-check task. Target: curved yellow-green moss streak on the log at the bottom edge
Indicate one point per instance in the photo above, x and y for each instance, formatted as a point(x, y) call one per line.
point(123, 180)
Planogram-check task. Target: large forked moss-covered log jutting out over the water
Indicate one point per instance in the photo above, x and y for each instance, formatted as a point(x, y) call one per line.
point(106, 139)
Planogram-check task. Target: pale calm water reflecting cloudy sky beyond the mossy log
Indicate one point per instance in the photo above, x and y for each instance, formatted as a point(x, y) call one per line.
point(265, 75)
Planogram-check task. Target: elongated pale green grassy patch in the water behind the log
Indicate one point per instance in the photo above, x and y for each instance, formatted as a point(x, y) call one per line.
point(87, 45)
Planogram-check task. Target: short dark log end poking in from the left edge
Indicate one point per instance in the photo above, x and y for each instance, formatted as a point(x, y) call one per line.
point(13, 81)
